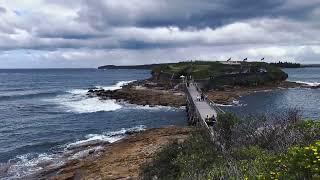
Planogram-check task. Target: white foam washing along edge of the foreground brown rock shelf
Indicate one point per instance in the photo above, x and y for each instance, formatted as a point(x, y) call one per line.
point(26, 165)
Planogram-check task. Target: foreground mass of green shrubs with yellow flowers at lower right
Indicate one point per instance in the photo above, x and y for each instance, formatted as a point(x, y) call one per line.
point(280, 147)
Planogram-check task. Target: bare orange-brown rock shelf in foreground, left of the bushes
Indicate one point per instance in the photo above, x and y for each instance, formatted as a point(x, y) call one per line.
point(122, 159)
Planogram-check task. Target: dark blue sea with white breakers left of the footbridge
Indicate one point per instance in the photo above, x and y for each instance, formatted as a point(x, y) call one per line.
point(45, 111)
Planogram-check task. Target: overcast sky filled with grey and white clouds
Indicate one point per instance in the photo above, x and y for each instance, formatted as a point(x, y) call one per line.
point(89, 33)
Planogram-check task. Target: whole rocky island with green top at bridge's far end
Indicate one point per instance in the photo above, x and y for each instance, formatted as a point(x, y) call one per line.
point(224, 82)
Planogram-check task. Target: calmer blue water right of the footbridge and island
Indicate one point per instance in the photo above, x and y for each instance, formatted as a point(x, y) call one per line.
point(272, 102)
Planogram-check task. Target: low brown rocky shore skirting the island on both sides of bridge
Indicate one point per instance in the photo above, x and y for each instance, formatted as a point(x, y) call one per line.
point(150, 93)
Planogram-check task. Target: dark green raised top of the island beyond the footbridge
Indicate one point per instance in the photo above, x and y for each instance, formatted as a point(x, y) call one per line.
point(216, 74)
